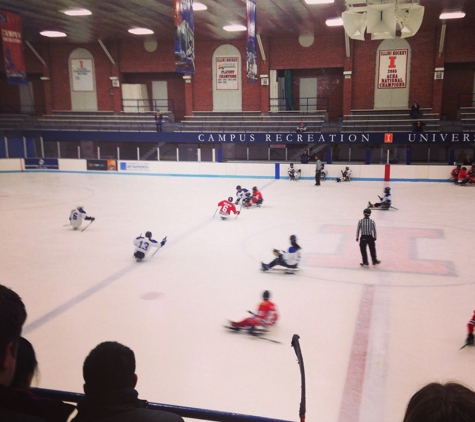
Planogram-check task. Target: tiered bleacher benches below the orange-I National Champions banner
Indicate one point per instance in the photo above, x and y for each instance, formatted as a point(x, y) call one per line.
point(388, 121)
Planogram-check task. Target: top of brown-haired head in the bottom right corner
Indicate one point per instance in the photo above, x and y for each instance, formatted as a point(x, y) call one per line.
point(451, 402)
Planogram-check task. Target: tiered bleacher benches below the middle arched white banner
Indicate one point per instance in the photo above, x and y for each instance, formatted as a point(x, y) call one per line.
point(253, 121)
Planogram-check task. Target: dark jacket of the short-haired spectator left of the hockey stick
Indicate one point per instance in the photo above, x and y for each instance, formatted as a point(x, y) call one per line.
point(120, 406)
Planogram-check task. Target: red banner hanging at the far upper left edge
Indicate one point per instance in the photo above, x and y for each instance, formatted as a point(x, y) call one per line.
point(10, 25)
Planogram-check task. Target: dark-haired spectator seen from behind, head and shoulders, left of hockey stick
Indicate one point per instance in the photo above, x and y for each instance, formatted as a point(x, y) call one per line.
point(109, 387)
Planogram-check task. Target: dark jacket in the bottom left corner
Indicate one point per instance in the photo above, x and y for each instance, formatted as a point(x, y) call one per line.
point(26, 404)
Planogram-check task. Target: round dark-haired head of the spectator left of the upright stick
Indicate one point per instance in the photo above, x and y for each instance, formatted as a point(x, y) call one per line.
point(109, 367)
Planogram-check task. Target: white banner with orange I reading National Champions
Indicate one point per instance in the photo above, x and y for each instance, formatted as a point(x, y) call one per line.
point(392, 69)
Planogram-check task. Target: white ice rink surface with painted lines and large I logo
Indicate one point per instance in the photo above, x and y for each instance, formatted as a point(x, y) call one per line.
point(370, 337)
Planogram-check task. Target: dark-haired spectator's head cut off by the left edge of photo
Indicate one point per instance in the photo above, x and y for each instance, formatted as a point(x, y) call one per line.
point(12, 318)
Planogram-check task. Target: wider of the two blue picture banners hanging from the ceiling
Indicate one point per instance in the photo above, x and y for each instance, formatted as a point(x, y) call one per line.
point(184, 37)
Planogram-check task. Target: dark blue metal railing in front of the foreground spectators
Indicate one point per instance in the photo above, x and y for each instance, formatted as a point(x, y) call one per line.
point(186, 412)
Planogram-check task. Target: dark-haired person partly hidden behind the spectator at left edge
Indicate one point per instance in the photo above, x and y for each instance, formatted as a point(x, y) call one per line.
point(24, 400)
